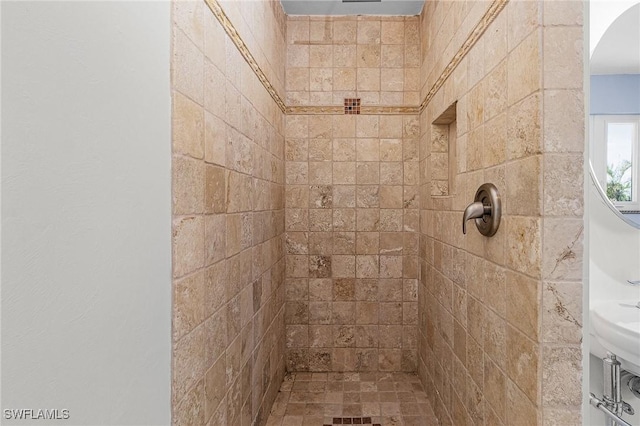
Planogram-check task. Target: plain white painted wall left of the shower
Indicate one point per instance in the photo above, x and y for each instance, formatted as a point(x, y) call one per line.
point(86, 203)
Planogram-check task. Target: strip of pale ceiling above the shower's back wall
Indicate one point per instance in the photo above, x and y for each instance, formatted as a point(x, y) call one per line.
point(353, 7)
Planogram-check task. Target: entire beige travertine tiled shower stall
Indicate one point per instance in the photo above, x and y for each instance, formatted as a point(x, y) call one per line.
point(309, 241)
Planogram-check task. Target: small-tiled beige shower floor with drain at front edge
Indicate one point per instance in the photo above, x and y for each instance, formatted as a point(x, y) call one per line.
point(319, 399)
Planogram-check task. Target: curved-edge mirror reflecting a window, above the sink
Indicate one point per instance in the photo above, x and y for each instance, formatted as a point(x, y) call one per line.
point(615, 106)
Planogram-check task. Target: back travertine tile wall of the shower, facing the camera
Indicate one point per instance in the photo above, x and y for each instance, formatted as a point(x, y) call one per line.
point(351, 196)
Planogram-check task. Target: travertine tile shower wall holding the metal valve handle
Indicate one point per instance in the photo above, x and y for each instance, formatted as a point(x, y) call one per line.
point(500, 318)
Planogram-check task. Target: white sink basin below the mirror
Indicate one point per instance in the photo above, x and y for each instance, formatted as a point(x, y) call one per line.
point(616, 327)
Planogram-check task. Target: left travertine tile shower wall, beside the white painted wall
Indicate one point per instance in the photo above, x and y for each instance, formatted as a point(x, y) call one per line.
point(228, 216)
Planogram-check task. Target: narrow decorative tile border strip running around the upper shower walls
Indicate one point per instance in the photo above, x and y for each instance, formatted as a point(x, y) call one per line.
point(482, 25)
